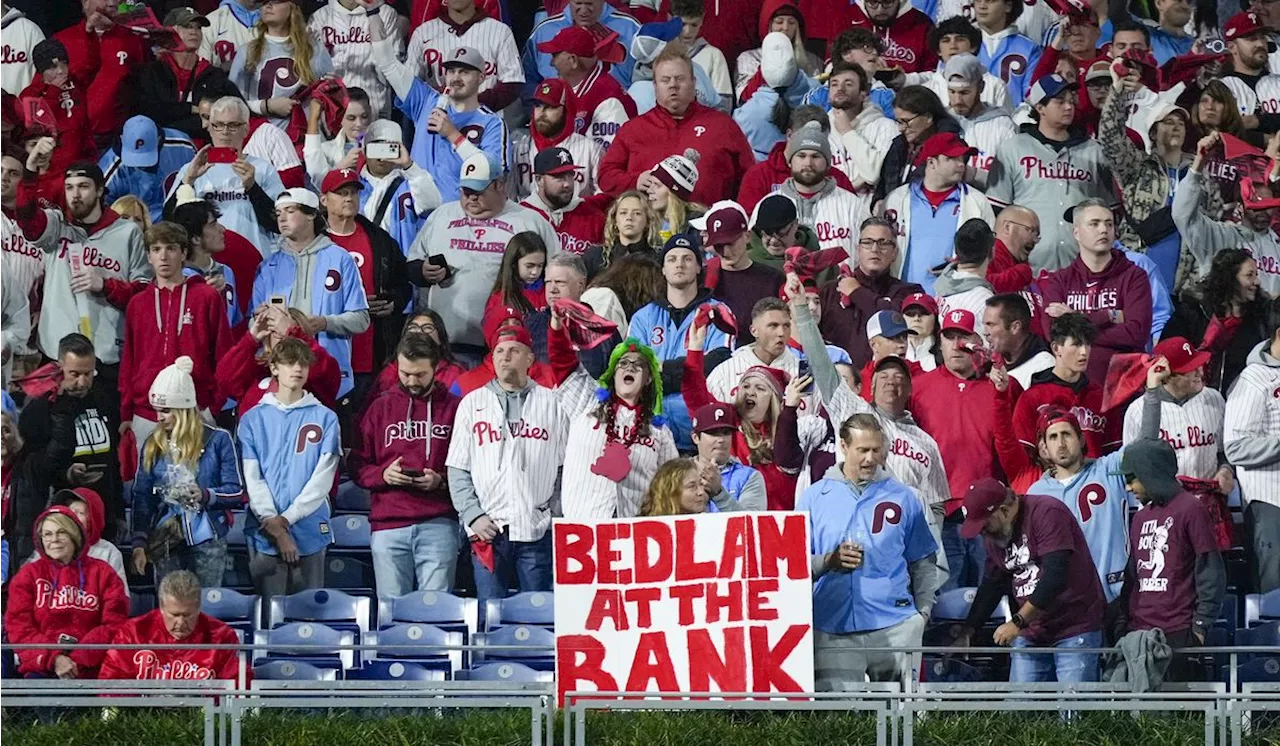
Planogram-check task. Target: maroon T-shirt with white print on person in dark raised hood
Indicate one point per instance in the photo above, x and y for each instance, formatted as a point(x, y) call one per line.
point(1164, 543)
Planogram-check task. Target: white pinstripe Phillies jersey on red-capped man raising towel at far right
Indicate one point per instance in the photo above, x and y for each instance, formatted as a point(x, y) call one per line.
point(1195, 431)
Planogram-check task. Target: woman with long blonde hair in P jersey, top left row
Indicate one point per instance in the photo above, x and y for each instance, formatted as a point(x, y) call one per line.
point(280, 61)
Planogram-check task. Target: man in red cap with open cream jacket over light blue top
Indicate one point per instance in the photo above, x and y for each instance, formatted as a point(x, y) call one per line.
point(930, 210)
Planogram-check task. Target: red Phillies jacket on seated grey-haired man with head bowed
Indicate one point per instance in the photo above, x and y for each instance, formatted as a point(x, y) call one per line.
point(170, 665)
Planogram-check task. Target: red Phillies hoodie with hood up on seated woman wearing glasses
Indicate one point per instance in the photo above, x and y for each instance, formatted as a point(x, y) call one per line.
point(60, 605)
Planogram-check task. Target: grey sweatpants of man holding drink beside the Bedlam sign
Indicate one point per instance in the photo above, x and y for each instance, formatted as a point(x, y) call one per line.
point(842, 665)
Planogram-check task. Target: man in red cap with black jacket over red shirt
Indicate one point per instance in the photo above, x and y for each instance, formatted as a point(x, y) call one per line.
point(382, 272)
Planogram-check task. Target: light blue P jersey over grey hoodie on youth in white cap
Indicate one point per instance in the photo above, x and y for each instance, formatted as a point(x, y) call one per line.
point(319, 281)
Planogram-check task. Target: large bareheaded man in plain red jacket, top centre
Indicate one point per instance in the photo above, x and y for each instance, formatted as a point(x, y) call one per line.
point(675, 125)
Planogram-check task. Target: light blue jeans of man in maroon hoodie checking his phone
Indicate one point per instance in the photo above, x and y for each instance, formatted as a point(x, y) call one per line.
point(427, 553)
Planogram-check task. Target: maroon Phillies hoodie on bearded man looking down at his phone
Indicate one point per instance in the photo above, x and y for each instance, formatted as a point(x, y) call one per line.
point(396, 425)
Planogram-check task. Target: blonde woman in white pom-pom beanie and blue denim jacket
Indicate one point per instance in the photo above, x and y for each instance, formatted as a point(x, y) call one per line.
point(188, 484)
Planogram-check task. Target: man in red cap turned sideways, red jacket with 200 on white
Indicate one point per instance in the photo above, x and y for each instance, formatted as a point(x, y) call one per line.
point(604, 107)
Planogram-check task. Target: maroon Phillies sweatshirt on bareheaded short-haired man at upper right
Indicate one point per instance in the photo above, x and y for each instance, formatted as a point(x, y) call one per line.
point(1124, 287)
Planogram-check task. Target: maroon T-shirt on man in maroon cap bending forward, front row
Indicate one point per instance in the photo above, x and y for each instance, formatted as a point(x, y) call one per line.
point(1045, 525)
